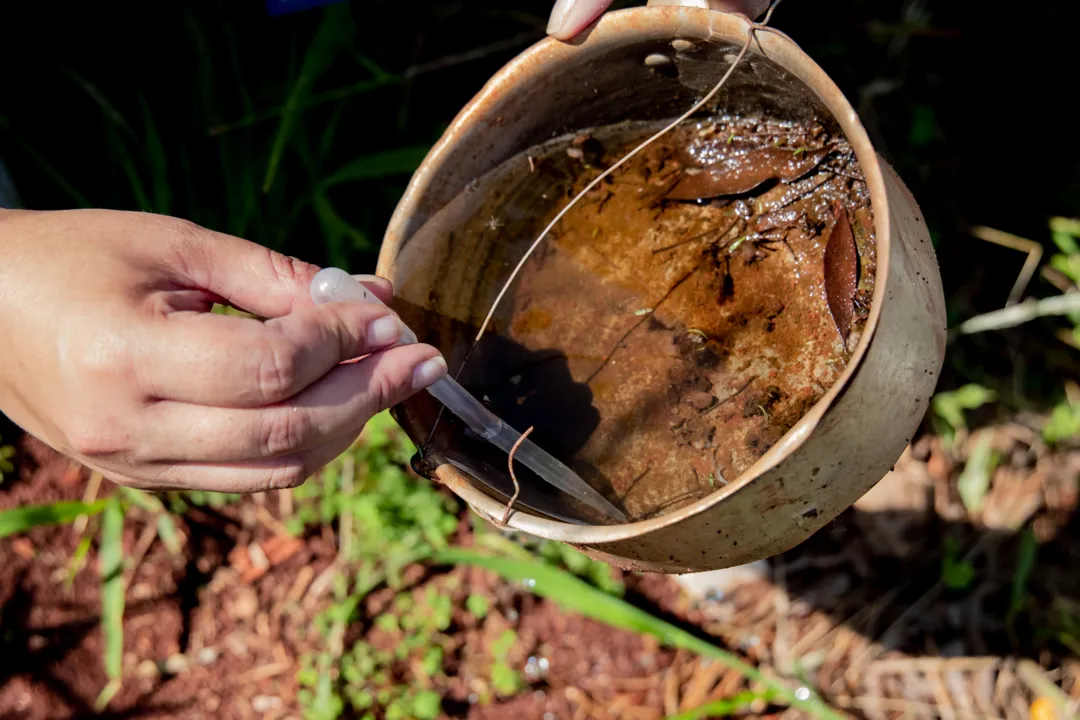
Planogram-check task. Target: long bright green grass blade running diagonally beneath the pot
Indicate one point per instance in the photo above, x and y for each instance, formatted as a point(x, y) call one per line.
point(579, 596)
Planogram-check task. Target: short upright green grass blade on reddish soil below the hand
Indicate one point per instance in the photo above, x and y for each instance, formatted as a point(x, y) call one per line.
point(112, 568)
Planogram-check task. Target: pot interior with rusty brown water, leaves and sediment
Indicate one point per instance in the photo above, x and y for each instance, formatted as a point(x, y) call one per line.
point(683, 317)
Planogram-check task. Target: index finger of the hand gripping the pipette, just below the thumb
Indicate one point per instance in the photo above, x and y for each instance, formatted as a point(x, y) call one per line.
point(239, 362)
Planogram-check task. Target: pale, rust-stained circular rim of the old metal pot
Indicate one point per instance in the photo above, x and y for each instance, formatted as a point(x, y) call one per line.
point(650, 23)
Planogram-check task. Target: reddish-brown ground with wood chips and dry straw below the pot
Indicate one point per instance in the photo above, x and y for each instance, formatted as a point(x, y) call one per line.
point(862, 610)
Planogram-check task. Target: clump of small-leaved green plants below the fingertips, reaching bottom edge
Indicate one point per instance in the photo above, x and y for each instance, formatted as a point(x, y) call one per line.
point(387, 520)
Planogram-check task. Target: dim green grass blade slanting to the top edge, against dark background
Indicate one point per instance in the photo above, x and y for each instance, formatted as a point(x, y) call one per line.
point(334, 35)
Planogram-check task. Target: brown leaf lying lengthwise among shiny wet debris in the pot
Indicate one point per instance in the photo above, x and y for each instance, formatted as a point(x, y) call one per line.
point(745, 170)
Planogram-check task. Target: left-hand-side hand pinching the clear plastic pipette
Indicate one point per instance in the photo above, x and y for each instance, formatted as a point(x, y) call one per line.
point(112, 357)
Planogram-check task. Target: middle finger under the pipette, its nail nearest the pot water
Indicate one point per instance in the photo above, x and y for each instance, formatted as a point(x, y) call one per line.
point(335, 406)
